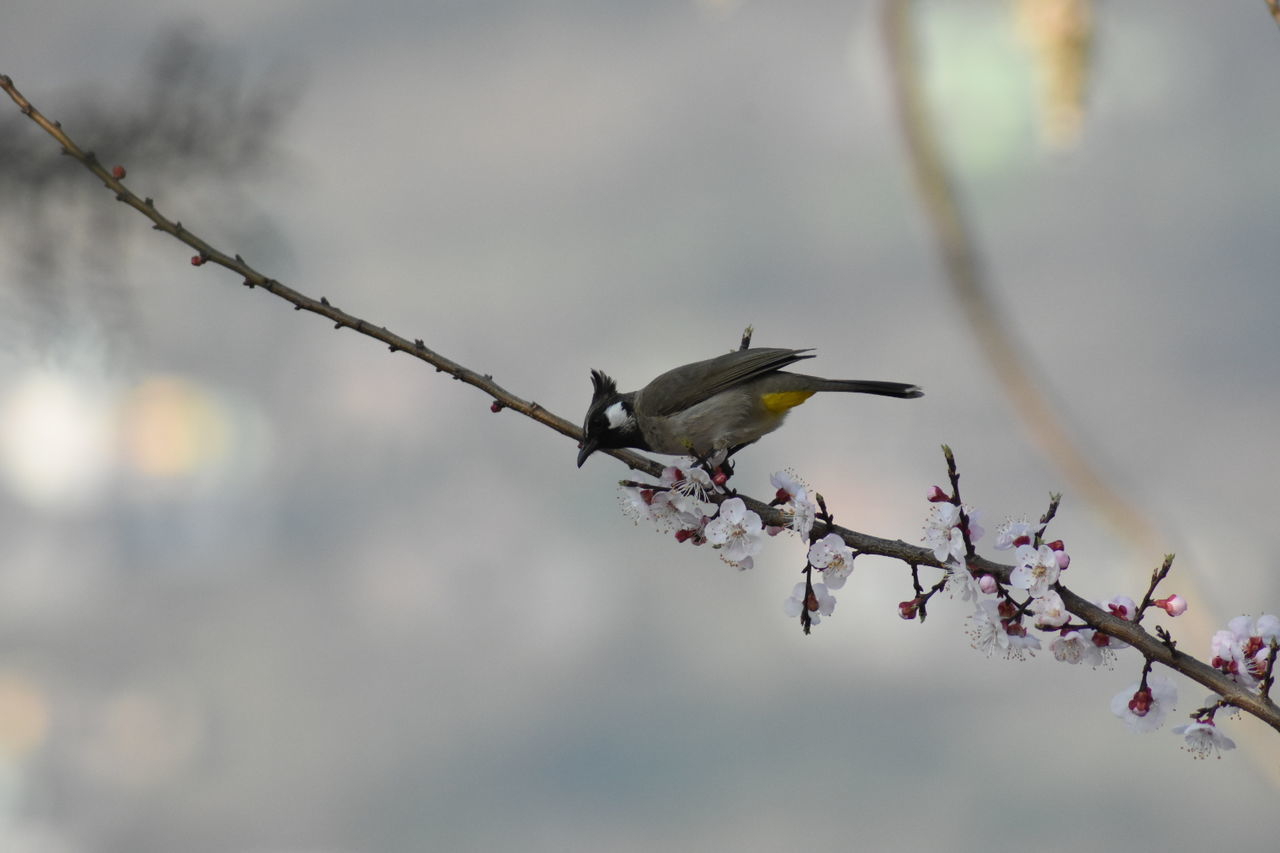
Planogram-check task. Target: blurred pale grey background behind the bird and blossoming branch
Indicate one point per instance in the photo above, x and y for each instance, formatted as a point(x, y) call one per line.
point(268, 589)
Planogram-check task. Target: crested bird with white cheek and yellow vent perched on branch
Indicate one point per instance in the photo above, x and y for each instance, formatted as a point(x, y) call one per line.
point(707, 408)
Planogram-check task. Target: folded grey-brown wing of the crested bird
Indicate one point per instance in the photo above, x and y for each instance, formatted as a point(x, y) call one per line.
point(691, 385)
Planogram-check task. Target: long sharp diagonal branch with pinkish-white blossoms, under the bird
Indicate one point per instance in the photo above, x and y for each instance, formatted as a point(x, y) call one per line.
point(706, 512)
